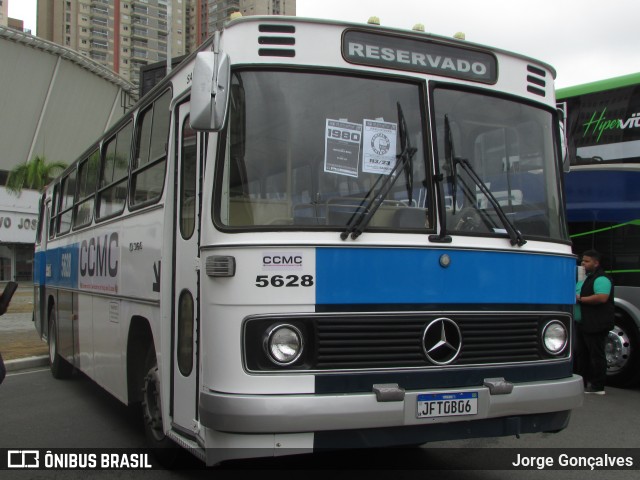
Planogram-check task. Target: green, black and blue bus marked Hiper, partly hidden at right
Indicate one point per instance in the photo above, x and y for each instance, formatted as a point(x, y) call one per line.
point(603, 202)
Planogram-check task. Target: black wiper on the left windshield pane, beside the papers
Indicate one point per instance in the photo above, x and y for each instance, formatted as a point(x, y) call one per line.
point(361, 217)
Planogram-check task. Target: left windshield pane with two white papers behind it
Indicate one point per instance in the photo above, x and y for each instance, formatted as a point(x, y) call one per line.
point(312, 150)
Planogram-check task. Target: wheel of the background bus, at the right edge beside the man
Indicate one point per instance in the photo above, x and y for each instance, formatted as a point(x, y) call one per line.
point(622, 350)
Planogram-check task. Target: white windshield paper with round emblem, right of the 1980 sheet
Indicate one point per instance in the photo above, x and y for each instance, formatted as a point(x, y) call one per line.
point(379, 147)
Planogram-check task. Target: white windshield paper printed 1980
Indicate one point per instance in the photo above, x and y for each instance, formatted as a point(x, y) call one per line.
point(342, 147)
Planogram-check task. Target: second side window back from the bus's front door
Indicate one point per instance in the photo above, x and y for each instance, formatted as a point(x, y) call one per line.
point(112, 194)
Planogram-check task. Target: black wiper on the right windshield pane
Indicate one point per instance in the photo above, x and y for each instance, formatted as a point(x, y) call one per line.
point(452, 163)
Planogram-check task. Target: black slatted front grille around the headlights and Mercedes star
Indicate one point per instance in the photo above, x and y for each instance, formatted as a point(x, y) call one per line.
point(360, 341)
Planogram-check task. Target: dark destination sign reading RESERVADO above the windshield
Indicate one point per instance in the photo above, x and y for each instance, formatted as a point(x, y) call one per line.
point(416, 55)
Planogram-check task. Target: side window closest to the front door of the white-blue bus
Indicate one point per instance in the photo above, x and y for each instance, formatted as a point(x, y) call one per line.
point(148, 169)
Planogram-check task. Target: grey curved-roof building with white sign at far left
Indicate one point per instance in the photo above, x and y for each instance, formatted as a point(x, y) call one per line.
point(55, 102)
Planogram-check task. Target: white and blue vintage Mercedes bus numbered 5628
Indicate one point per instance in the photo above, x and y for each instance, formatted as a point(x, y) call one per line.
point(314, 235)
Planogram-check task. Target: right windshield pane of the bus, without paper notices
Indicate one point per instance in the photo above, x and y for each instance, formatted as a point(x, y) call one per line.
point(499, 165)
